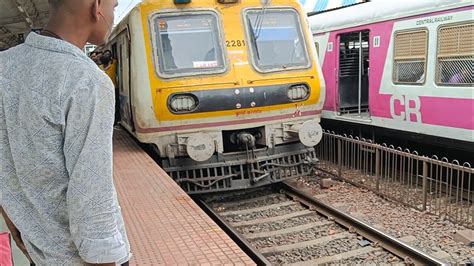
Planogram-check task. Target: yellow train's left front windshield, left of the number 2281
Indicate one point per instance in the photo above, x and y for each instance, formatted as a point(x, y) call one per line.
point(187, 44)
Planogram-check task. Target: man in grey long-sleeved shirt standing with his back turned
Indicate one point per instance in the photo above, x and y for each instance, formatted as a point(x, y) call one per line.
point(56, 123)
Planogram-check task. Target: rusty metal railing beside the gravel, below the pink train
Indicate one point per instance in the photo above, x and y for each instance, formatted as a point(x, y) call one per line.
point(427, 184)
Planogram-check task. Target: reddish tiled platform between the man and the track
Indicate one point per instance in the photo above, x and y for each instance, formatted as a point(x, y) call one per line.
point(163, 223)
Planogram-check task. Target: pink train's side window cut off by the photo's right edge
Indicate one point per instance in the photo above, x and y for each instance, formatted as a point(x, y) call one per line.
point(455, 55)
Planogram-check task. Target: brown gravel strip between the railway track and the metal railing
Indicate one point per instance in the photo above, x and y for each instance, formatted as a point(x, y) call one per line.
point(433, 234)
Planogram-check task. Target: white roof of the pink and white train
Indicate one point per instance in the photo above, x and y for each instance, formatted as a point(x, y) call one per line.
point(378, 10)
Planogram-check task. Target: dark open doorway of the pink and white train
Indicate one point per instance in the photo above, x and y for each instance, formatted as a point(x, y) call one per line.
point(354, 73)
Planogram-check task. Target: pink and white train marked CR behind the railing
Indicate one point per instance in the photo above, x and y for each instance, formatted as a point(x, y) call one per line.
point(405, 68)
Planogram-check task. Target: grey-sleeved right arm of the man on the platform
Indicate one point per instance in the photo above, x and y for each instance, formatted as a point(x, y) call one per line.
point(94, 214)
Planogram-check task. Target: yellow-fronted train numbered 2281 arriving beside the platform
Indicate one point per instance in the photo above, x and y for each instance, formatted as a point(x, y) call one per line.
point(211, 87)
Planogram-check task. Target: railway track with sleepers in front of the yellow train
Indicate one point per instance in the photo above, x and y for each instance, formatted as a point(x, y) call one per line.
point(282, 225)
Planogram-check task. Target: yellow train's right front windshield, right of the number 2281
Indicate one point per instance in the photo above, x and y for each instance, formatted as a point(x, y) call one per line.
point(276, 38)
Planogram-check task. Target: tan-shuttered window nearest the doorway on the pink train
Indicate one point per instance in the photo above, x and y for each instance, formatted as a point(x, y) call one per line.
point(410, 57)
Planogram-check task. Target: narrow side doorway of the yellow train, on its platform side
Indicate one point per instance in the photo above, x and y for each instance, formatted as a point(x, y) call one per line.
point(126, 117)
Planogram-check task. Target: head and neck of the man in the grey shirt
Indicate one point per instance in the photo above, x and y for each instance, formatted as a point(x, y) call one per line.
point(95, 18)
